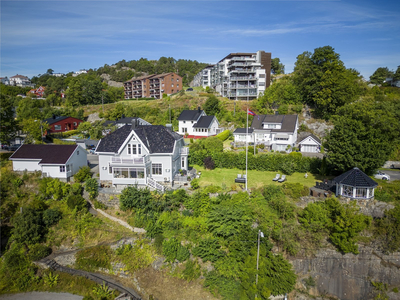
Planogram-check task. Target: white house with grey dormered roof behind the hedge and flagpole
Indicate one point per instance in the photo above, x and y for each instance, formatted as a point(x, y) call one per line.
point(276, 132)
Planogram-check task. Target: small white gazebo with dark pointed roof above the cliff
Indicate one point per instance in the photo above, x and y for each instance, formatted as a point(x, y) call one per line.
point(355, 184)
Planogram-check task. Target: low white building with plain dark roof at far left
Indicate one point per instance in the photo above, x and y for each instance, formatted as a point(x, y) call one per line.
point(57, 161)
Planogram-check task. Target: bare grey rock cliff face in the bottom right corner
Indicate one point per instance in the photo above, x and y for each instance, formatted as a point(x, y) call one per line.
point(349, 276)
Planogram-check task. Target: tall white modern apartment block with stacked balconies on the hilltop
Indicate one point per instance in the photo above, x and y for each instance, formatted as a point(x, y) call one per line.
point(238, 76)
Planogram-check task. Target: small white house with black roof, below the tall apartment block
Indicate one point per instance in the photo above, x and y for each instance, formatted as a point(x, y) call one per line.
point(196, 124)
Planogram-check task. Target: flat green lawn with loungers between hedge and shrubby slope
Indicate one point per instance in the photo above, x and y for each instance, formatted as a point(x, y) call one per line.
point(256, 179)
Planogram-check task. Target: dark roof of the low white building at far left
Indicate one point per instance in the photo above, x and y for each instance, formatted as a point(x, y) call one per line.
point(48, 154)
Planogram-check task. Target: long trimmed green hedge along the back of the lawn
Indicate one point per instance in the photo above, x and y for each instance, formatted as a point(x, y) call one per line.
point(288, 164)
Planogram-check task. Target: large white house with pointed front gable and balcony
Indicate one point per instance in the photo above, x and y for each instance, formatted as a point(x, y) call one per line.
point(142, 155)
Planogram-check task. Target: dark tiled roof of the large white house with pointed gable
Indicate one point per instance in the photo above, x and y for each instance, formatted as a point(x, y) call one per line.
point(156, 138)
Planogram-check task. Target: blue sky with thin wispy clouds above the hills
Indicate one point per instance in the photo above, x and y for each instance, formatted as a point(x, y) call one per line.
point(71, 35)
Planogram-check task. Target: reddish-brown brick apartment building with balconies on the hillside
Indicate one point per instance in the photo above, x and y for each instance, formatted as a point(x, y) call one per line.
point(153, 86)
